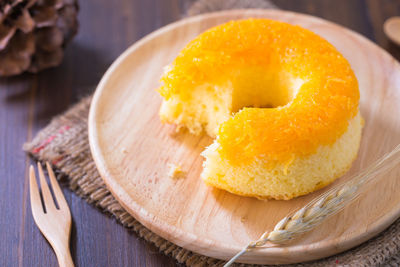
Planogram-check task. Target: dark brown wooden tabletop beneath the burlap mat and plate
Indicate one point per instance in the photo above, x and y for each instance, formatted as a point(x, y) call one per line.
point(28, 102)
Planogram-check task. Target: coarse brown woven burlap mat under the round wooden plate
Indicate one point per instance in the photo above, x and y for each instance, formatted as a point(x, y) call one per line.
point(64, 143)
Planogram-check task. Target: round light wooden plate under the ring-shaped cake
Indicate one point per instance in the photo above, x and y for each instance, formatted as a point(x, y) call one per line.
point(132, 150)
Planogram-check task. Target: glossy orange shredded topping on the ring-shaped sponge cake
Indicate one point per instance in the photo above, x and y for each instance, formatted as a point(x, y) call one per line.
point(292, 90)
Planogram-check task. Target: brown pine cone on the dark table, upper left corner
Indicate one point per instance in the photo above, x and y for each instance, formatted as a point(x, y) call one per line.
point(33, 33)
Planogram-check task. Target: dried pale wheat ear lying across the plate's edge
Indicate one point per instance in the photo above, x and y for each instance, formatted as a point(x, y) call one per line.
point(324, 206)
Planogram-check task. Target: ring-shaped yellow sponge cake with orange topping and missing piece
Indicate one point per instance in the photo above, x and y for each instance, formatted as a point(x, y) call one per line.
point(281, 102)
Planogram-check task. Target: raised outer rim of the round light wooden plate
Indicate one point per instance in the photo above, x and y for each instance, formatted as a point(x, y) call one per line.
point(158, 226)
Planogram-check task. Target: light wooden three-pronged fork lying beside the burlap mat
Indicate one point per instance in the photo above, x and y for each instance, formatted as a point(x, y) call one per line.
point(53, 222)
